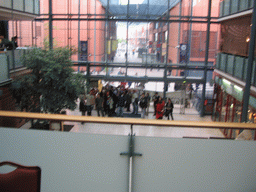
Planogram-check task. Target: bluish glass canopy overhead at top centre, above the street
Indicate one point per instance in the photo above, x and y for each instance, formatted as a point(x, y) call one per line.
point(148, 9)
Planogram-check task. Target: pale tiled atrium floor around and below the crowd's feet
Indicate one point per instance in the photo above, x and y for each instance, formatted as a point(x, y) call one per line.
point(152, 131)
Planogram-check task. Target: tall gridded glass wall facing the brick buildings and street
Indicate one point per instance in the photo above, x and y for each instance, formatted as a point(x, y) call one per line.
point(146, 41)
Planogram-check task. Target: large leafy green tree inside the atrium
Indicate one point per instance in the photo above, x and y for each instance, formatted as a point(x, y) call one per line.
point(51, 85)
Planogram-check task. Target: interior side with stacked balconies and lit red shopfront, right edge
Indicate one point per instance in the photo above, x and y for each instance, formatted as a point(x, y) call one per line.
point(232, 64)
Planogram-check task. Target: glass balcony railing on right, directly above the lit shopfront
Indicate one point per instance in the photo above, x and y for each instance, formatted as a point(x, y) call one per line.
point(235, 66)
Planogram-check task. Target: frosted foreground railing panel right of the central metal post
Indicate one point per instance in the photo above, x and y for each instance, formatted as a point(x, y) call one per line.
point(161, 158)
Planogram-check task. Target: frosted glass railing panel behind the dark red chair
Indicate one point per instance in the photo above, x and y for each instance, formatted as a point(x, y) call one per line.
point(93, 149)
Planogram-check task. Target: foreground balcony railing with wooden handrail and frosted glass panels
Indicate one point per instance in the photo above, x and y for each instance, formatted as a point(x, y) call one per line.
point(101, 162)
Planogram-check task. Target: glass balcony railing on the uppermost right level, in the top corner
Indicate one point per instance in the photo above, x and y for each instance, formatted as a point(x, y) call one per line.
point(229, 7)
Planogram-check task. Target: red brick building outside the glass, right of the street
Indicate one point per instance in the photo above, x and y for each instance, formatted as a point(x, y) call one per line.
point(186, 41)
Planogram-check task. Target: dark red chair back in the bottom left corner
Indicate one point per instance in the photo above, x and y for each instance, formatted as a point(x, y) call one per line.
point(22, 179)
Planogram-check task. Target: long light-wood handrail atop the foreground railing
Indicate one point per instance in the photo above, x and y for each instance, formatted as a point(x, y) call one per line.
point(128, 121)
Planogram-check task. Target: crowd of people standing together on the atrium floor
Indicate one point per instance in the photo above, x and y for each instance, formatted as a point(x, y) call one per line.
point(112, 102)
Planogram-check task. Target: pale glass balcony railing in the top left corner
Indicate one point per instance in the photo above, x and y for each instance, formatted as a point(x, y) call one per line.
point(27, 6)
